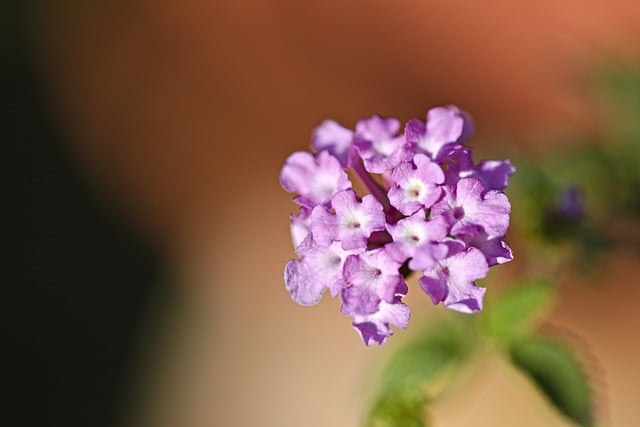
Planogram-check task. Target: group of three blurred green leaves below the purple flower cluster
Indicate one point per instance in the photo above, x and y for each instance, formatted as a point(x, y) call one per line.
point(418, 374)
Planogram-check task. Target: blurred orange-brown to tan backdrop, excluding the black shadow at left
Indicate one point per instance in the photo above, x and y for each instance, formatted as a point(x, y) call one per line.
point(181, 114)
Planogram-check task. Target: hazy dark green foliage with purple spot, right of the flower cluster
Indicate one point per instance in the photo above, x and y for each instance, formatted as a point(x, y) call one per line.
point(585, 194)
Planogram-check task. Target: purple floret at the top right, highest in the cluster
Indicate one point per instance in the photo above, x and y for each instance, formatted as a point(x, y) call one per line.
point(444, 125)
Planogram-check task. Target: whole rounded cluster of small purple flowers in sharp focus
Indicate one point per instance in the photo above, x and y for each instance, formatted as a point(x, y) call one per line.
point(431, 210)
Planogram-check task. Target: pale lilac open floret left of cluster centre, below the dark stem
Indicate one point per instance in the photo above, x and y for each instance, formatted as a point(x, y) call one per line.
point(351, 221)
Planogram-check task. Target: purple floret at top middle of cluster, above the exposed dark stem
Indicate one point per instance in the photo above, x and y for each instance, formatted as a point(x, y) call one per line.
point(377, 144)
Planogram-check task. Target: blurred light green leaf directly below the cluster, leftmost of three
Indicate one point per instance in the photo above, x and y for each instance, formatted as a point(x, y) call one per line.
point(416, 373)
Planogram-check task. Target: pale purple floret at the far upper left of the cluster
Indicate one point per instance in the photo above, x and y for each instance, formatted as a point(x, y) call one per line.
point(316, 179)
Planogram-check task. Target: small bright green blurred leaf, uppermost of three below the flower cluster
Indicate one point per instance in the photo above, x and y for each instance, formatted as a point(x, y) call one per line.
point(516, 312)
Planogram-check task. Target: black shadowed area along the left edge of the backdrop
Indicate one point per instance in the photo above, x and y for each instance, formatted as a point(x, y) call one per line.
point(77, 282)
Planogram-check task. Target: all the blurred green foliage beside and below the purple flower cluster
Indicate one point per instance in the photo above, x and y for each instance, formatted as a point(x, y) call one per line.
point(581, 199)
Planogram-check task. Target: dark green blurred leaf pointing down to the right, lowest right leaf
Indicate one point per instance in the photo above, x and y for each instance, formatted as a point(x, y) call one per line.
point(558, 375)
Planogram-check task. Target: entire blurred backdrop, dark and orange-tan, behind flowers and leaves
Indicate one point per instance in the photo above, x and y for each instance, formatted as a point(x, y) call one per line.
point(148, 231)
